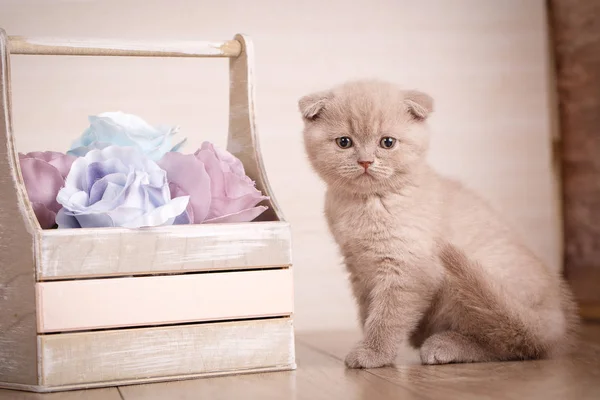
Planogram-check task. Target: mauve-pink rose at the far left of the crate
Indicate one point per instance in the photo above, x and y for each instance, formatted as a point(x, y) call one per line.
point(44, 174)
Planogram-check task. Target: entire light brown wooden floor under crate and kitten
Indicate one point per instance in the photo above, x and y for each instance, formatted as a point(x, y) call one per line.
point(321, 375)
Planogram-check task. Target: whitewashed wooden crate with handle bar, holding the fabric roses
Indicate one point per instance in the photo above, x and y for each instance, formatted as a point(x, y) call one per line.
point(83, 308)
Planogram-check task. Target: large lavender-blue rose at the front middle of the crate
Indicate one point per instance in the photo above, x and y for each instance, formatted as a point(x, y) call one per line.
point(117, 187)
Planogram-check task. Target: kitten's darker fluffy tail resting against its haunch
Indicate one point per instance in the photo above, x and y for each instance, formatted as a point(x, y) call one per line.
point(504, 326)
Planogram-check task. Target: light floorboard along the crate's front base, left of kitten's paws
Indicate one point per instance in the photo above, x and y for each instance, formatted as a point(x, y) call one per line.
point(319, 377)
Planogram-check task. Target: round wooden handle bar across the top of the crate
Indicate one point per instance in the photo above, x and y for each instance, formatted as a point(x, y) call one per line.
point(99, 47)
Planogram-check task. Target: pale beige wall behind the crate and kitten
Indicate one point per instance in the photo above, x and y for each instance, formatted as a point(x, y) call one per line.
point(484, 61)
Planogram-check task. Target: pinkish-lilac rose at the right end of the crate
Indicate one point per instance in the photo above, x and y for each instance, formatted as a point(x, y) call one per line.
point(217, 184)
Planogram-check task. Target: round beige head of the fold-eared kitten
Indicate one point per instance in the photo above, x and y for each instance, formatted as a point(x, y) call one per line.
point(366, 136)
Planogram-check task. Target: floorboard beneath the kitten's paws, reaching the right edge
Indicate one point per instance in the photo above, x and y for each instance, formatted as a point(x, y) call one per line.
point(576, 377)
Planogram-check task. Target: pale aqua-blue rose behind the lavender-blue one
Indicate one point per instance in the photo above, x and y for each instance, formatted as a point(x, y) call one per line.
point(118, 128)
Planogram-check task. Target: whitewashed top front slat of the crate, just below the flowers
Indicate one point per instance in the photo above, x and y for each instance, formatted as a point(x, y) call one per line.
point(79, 253)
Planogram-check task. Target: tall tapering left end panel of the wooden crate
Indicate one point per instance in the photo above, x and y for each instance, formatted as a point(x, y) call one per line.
point(18, 358)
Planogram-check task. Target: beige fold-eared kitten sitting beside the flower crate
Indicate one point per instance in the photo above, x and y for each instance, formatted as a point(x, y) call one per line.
point(429, 261)
